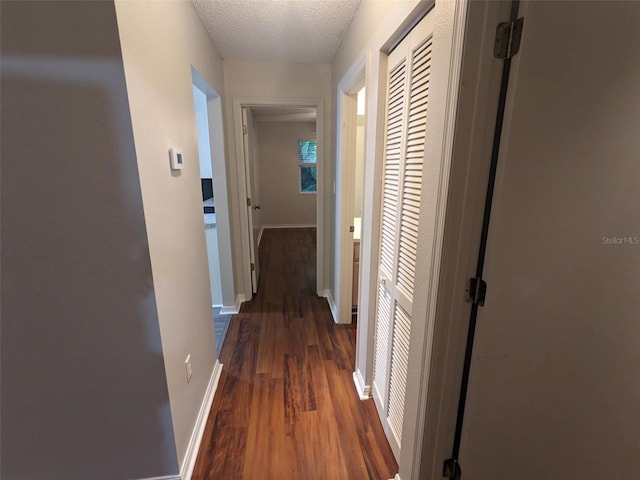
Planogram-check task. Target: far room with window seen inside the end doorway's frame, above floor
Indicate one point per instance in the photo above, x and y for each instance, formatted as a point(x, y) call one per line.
point(280, 157)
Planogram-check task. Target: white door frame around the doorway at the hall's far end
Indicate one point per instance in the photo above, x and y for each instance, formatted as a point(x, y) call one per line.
point(248, 102)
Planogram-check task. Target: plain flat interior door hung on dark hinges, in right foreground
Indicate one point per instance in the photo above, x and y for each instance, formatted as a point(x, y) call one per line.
point(554, 390)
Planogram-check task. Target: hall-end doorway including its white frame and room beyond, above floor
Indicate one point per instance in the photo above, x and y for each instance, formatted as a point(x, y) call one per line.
point(279, 176)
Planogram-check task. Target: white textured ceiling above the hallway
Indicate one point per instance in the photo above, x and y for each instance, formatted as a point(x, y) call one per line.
point(291, 31)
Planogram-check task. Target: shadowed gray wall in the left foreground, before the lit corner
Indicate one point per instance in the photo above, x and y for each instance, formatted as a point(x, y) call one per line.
point(84, 393)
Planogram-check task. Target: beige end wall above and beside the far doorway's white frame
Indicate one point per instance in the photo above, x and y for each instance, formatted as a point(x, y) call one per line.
point(276, 81)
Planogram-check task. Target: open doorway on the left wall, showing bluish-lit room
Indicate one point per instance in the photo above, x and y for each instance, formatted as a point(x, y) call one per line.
point(215, 205)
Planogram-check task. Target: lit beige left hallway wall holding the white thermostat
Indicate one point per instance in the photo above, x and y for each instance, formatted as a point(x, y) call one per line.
point(159, 81)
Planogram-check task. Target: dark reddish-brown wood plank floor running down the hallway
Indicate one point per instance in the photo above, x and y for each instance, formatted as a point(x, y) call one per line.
point(286, 406)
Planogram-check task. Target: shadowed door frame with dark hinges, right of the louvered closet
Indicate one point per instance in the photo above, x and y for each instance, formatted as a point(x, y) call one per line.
point(470, 138)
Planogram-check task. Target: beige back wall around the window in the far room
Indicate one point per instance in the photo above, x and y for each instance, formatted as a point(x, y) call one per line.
point(280, 198)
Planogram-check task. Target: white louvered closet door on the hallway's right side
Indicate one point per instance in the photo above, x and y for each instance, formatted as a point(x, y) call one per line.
point(407, 101)
